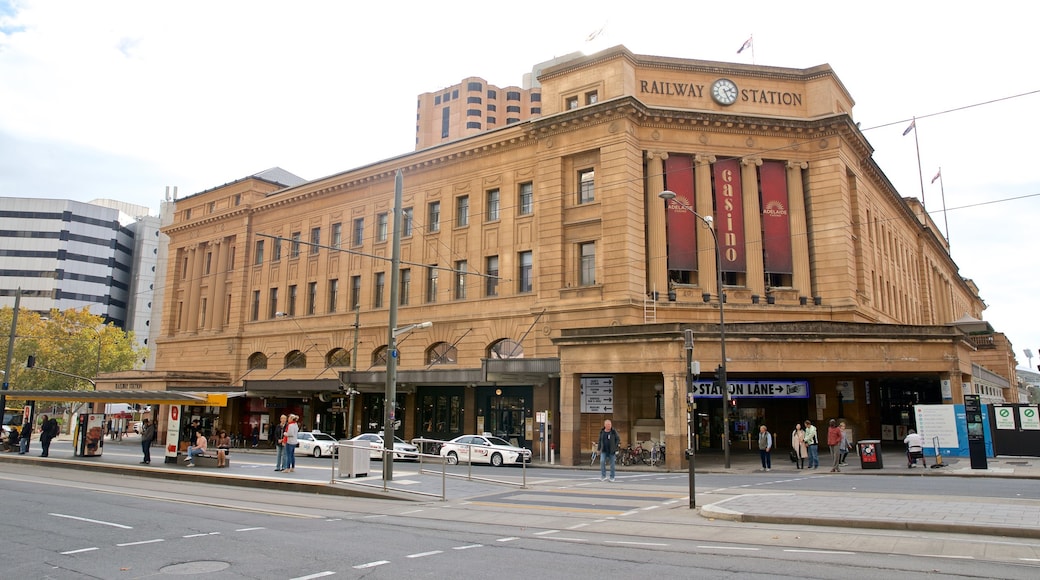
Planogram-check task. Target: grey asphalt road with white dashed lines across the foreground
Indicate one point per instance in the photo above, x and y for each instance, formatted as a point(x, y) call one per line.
point(75, 524)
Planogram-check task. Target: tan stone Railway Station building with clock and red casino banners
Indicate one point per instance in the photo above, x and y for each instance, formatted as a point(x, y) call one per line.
point(562, 286)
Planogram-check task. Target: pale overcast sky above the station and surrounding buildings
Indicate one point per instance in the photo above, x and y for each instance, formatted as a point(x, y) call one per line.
point(121, 99)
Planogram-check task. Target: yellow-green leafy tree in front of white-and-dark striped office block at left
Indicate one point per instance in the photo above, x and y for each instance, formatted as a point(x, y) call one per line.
point(73, 342)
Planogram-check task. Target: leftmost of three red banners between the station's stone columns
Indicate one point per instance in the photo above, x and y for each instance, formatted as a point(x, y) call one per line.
point(682, 223)
